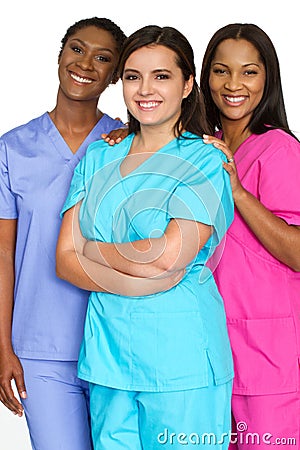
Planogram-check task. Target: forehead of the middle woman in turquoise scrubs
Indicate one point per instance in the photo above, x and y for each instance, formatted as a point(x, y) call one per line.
point(152, 57)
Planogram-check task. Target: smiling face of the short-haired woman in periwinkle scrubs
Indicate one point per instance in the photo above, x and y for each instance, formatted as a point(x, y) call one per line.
point(87, 63)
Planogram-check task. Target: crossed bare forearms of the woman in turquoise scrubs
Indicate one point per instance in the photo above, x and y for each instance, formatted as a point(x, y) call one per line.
point(135, 268)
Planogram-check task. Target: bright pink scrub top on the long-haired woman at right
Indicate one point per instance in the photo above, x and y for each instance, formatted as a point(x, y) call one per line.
point(262, 295)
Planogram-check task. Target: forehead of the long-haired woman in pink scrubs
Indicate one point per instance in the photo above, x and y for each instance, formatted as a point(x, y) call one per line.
point(240, 51)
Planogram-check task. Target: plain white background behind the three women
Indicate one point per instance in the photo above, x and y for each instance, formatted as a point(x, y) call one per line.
point(30, 35)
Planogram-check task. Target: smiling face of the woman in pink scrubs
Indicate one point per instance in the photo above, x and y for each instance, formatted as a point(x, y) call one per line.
point(237, 80)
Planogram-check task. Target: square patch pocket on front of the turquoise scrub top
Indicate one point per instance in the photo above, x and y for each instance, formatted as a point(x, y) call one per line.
point(168, 351)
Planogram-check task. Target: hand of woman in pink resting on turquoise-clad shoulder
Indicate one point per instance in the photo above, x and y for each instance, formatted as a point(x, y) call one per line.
point(229, 166)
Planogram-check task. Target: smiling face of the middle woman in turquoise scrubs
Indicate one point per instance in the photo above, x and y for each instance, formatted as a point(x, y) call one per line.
point(154, 86)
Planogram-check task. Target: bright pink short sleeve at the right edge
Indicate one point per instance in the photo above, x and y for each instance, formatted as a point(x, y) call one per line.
point(279, 182)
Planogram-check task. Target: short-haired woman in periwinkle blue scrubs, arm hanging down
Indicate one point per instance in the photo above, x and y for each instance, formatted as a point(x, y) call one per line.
point(41, 316)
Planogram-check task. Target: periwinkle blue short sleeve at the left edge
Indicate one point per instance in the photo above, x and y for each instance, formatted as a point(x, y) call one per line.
point(8, 207)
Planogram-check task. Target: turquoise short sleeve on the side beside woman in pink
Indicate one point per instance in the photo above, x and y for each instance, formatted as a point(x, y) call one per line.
point(204, 196)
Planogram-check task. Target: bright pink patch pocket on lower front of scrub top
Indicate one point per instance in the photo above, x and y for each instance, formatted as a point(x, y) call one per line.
point(264, 355)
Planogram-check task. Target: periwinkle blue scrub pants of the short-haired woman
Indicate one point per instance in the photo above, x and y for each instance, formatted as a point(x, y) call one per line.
point(57, 405)
